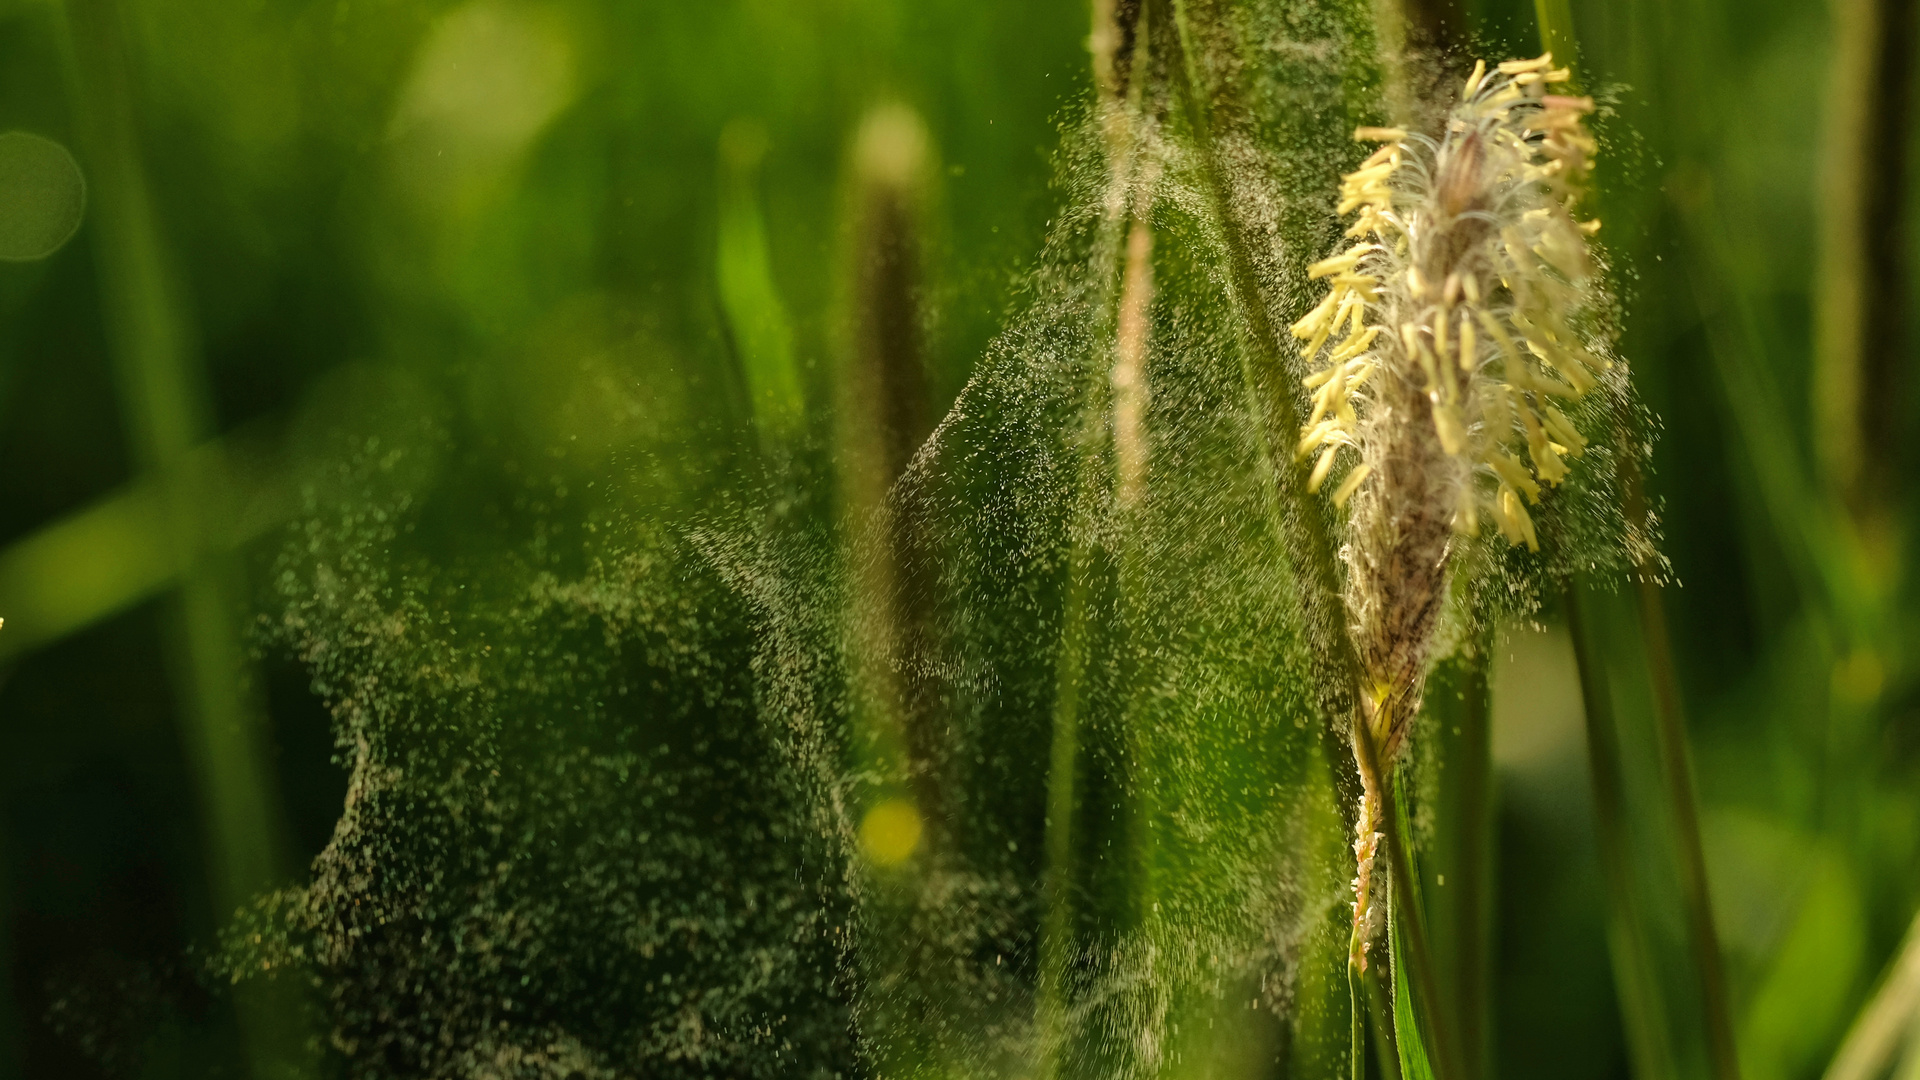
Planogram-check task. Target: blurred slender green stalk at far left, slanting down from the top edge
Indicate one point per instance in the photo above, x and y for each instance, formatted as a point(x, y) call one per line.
point(168, 416)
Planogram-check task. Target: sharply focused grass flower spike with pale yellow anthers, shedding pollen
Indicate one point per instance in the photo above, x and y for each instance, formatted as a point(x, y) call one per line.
point(1439, 360)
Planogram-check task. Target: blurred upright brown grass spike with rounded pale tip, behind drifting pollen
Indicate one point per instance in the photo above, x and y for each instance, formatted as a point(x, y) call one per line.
point(882, 416)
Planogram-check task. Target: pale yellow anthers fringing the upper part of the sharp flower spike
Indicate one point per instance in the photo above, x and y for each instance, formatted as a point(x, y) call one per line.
point(1489, 380)
